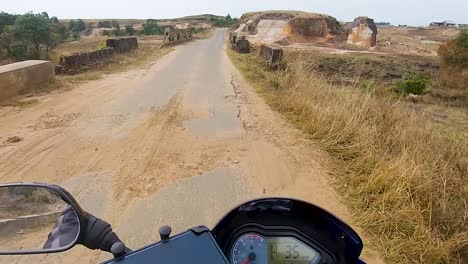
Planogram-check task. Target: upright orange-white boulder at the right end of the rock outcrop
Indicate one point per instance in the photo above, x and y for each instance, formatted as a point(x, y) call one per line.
point(362, 32)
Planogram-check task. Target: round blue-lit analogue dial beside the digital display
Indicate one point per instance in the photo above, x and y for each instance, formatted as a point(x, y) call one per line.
point(250, 249)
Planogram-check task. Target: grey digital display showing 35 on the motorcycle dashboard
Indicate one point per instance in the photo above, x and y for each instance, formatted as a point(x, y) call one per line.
point(288, 250)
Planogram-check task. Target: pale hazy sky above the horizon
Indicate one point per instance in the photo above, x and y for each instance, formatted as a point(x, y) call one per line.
point(412, 12)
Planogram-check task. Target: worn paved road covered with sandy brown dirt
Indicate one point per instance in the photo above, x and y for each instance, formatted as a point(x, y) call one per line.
point(178, 143)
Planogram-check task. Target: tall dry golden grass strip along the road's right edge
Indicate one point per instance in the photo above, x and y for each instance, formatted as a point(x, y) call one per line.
point(407, 183)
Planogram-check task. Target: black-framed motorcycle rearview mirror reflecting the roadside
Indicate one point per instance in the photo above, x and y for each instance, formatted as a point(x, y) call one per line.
point(35, 219)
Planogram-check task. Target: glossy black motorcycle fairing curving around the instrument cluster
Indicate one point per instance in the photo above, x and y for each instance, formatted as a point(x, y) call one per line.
point(320, 227)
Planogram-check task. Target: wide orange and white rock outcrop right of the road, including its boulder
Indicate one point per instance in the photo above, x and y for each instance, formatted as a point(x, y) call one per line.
point(290, 27)
